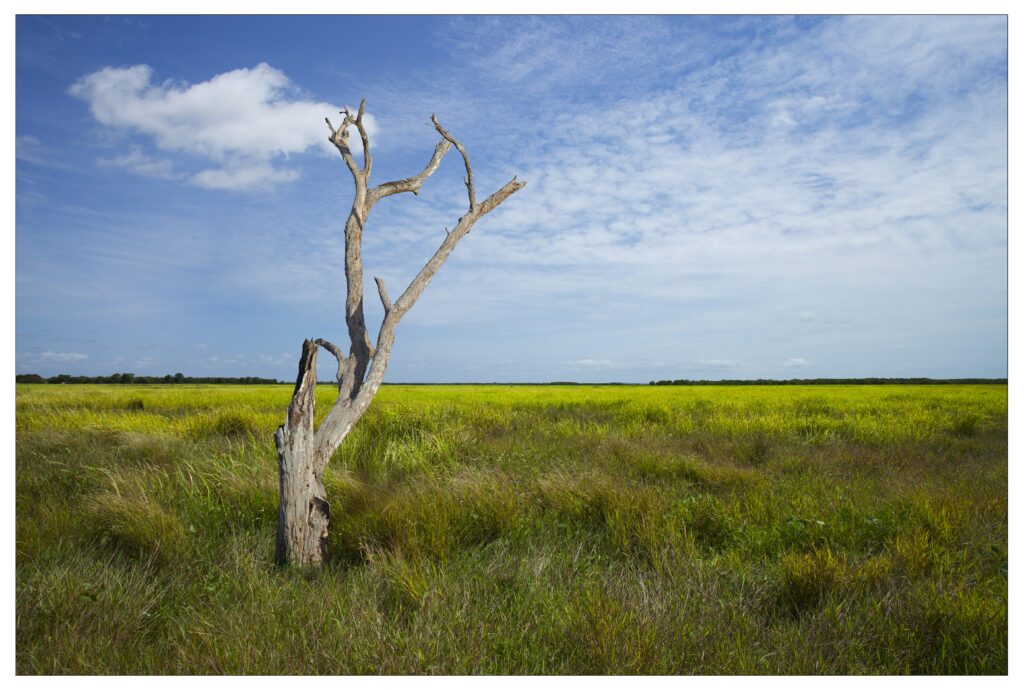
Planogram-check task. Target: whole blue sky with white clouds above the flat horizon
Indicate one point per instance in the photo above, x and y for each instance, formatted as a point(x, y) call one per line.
point(731, 197)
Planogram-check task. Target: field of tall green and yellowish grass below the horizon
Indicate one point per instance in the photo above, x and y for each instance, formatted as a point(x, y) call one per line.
point(496, 530)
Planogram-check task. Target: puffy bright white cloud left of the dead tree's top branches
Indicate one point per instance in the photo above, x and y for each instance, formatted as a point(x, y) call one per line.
point(244, 121)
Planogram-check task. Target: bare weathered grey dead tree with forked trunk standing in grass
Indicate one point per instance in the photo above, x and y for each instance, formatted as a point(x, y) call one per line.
point(304, 452)
